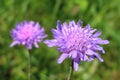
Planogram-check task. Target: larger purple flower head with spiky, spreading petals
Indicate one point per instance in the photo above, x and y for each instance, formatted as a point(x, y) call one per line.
point(77, 43)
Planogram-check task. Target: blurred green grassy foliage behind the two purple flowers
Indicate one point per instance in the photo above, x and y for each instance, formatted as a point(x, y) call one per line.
point(101, 14)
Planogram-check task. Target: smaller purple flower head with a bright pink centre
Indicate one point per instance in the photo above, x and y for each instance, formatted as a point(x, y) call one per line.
point(27, 33)
